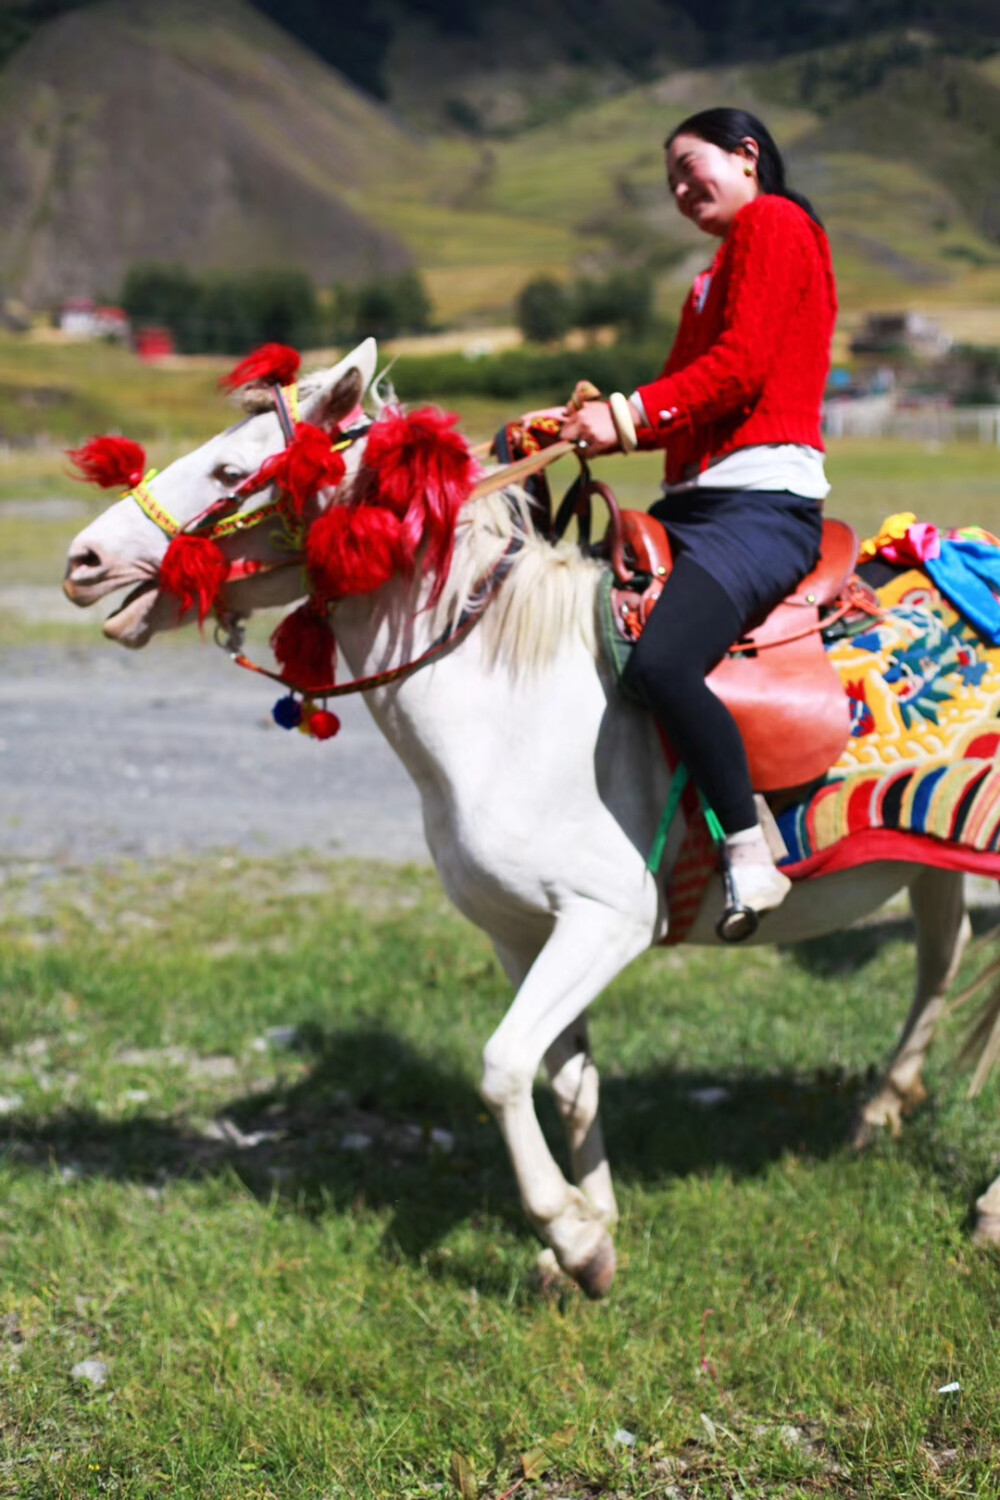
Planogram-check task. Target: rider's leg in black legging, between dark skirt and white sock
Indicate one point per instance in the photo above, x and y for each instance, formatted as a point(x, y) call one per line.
point(687, 635)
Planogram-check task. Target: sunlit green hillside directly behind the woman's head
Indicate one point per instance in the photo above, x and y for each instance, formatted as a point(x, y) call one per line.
point(897, 143)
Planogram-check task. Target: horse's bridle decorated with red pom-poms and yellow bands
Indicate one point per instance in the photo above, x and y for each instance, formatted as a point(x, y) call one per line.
point(196, 572)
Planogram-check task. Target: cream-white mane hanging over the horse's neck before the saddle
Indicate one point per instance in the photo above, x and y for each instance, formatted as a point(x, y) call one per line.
point(548, 598)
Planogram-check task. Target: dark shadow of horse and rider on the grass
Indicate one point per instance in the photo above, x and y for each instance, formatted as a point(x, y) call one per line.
point(377, 1123)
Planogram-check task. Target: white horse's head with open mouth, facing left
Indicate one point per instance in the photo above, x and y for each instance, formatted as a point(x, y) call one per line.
point(127, 545)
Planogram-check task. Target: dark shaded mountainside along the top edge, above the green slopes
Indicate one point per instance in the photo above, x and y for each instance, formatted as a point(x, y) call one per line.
point(503, 65)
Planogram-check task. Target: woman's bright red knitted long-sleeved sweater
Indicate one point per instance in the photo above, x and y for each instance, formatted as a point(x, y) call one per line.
point(752, 365)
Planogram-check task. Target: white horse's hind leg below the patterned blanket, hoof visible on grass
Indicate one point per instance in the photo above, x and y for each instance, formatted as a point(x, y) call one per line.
point(942, 932)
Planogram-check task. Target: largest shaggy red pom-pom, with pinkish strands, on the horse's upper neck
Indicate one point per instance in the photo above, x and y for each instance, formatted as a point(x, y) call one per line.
point(424, 472)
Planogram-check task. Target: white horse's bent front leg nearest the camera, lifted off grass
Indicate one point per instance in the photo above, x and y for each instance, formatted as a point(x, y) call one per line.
point(590, 944)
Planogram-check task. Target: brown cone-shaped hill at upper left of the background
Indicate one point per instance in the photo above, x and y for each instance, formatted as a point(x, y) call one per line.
point(134, 131)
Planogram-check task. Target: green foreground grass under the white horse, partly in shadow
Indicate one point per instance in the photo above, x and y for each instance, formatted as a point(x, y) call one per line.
point(298, 1319)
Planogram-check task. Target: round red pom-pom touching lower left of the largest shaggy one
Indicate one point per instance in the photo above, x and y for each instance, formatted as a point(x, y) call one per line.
point(353, 550)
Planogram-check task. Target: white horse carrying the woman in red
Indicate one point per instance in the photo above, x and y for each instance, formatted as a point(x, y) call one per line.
point(542, 794)
